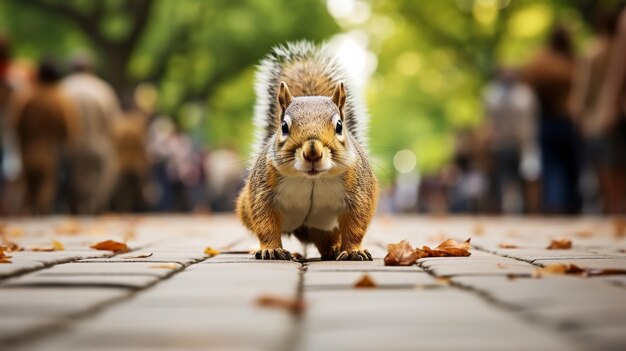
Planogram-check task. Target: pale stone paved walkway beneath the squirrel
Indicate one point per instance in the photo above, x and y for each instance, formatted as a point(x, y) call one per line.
point(179, 298)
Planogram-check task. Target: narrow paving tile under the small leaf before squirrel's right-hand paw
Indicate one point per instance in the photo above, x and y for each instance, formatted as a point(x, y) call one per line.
point(347, 279)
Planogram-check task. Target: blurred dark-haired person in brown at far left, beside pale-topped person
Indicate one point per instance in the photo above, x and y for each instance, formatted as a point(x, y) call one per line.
point(46, 125)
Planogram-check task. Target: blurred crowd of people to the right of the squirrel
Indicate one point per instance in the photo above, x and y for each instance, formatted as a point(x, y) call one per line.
point(554, 135)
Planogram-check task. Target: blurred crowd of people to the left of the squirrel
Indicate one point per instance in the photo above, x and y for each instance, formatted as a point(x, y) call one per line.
point(71, 145)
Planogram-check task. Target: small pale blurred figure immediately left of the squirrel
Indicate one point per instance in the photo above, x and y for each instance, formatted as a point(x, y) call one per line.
point(224, 178)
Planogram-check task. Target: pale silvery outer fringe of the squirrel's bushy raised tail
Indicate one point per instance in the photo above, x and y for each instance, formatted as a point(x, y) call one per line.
point(268, 80)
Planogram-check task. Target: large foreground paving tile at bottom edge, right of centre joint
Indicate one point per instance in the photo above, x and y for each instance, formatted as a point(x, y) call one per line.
point(419, 319)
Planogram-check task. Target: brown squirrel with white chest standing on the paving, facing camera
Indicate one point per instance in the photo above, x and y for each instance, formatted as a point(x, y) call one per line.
point(310, 174)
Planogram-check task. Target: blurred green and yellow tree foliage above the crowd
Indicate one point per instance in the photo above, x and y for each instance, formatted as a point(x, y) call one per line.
point(434, 57)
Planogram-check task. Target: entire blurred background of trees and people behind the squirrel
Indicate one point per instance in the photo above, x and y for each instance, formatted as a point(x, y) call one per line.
point(478, 106)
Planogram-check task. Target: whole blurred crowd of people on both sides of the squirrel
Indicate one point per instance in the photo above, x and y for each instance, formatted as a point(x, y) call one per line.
point(553, 141)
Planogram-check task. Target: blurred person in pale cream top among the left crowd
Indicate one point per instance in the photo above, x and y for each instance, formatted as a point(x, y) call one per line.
point(93, 162)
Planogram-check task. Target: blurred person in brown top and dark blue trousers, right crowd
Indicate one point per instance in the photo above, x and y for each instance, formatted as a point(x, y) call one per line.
point(549, 74)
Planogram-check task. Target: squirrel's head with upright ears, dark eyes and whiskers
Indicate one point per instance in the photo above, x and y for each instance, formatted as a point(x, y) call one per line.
point(312, 139)
